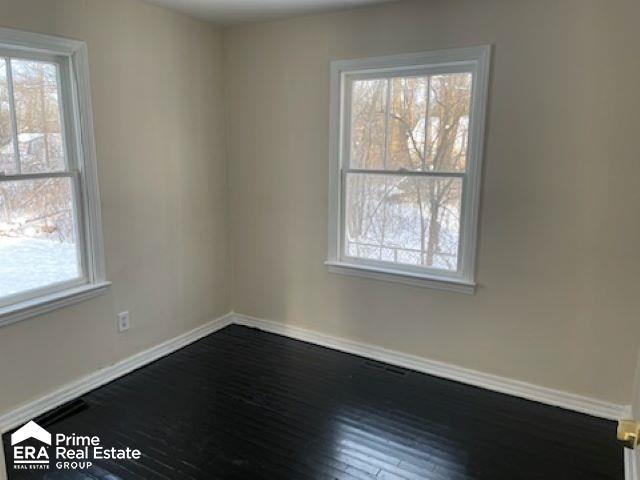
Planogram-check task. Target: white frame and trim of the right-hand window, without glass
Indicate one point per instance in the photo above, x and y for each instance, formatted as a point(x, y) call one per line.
point(475, 60)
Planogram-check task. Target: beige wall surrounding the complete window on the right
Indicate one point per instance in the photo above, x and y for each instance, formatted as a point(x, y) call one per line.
point(558, 270)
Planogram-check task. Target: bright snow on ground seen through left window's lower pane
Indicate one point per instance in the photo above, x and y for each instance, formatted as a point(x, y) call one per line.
point(28, 263)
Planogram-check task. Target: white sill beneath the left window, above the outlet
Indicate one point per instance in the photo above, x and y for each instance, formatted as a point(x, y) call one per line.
point(41, 305)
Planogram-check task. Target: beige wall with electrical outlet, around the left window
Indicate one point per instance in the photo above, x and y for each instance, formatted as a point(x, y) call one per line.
point(159, 125)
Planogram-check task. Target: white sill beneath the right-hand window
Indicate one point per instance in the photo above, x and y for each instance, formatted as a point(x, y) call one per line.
point(395, 276)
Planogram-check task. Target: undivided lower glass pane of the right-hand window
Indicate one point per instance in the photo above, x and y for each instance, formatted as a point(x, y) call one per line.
point(406, 220)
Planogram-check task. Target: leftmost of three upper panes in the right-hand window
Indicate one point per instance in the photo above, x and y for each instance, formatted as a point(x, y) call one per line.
point(368, 118)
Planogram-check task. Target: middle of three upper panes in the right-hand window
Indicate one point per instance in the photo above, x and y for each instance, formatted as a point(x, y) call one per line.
point(407, 123)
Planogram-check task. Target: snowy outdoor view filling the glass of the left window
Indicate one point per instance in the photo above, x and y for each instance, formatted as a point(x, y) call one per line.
point(38, 240)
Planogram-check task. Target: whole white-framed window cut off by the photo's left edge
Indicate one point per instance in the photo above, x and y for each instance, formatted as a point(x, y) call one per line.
point(50, 238)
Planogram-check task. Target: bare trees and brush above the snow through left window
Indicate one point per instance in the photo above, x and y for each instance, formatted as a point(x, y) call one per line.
point(33, 207)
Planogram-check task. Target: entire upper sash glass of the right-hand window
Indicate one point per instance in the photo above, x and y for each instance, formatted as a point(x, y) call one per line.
point(405, 139)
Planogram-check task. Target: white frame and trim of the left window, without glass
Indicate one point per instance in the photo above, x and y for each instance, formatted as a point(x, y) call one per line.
point(75, 100)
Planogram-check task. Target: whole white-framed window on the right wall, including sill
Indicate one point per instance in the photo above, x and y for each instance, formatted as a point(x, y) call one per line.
point(407, 139)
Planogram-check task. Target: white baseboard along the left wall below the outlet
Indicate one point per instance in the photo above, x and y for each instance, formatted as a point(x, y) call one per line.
point(83, 385)
